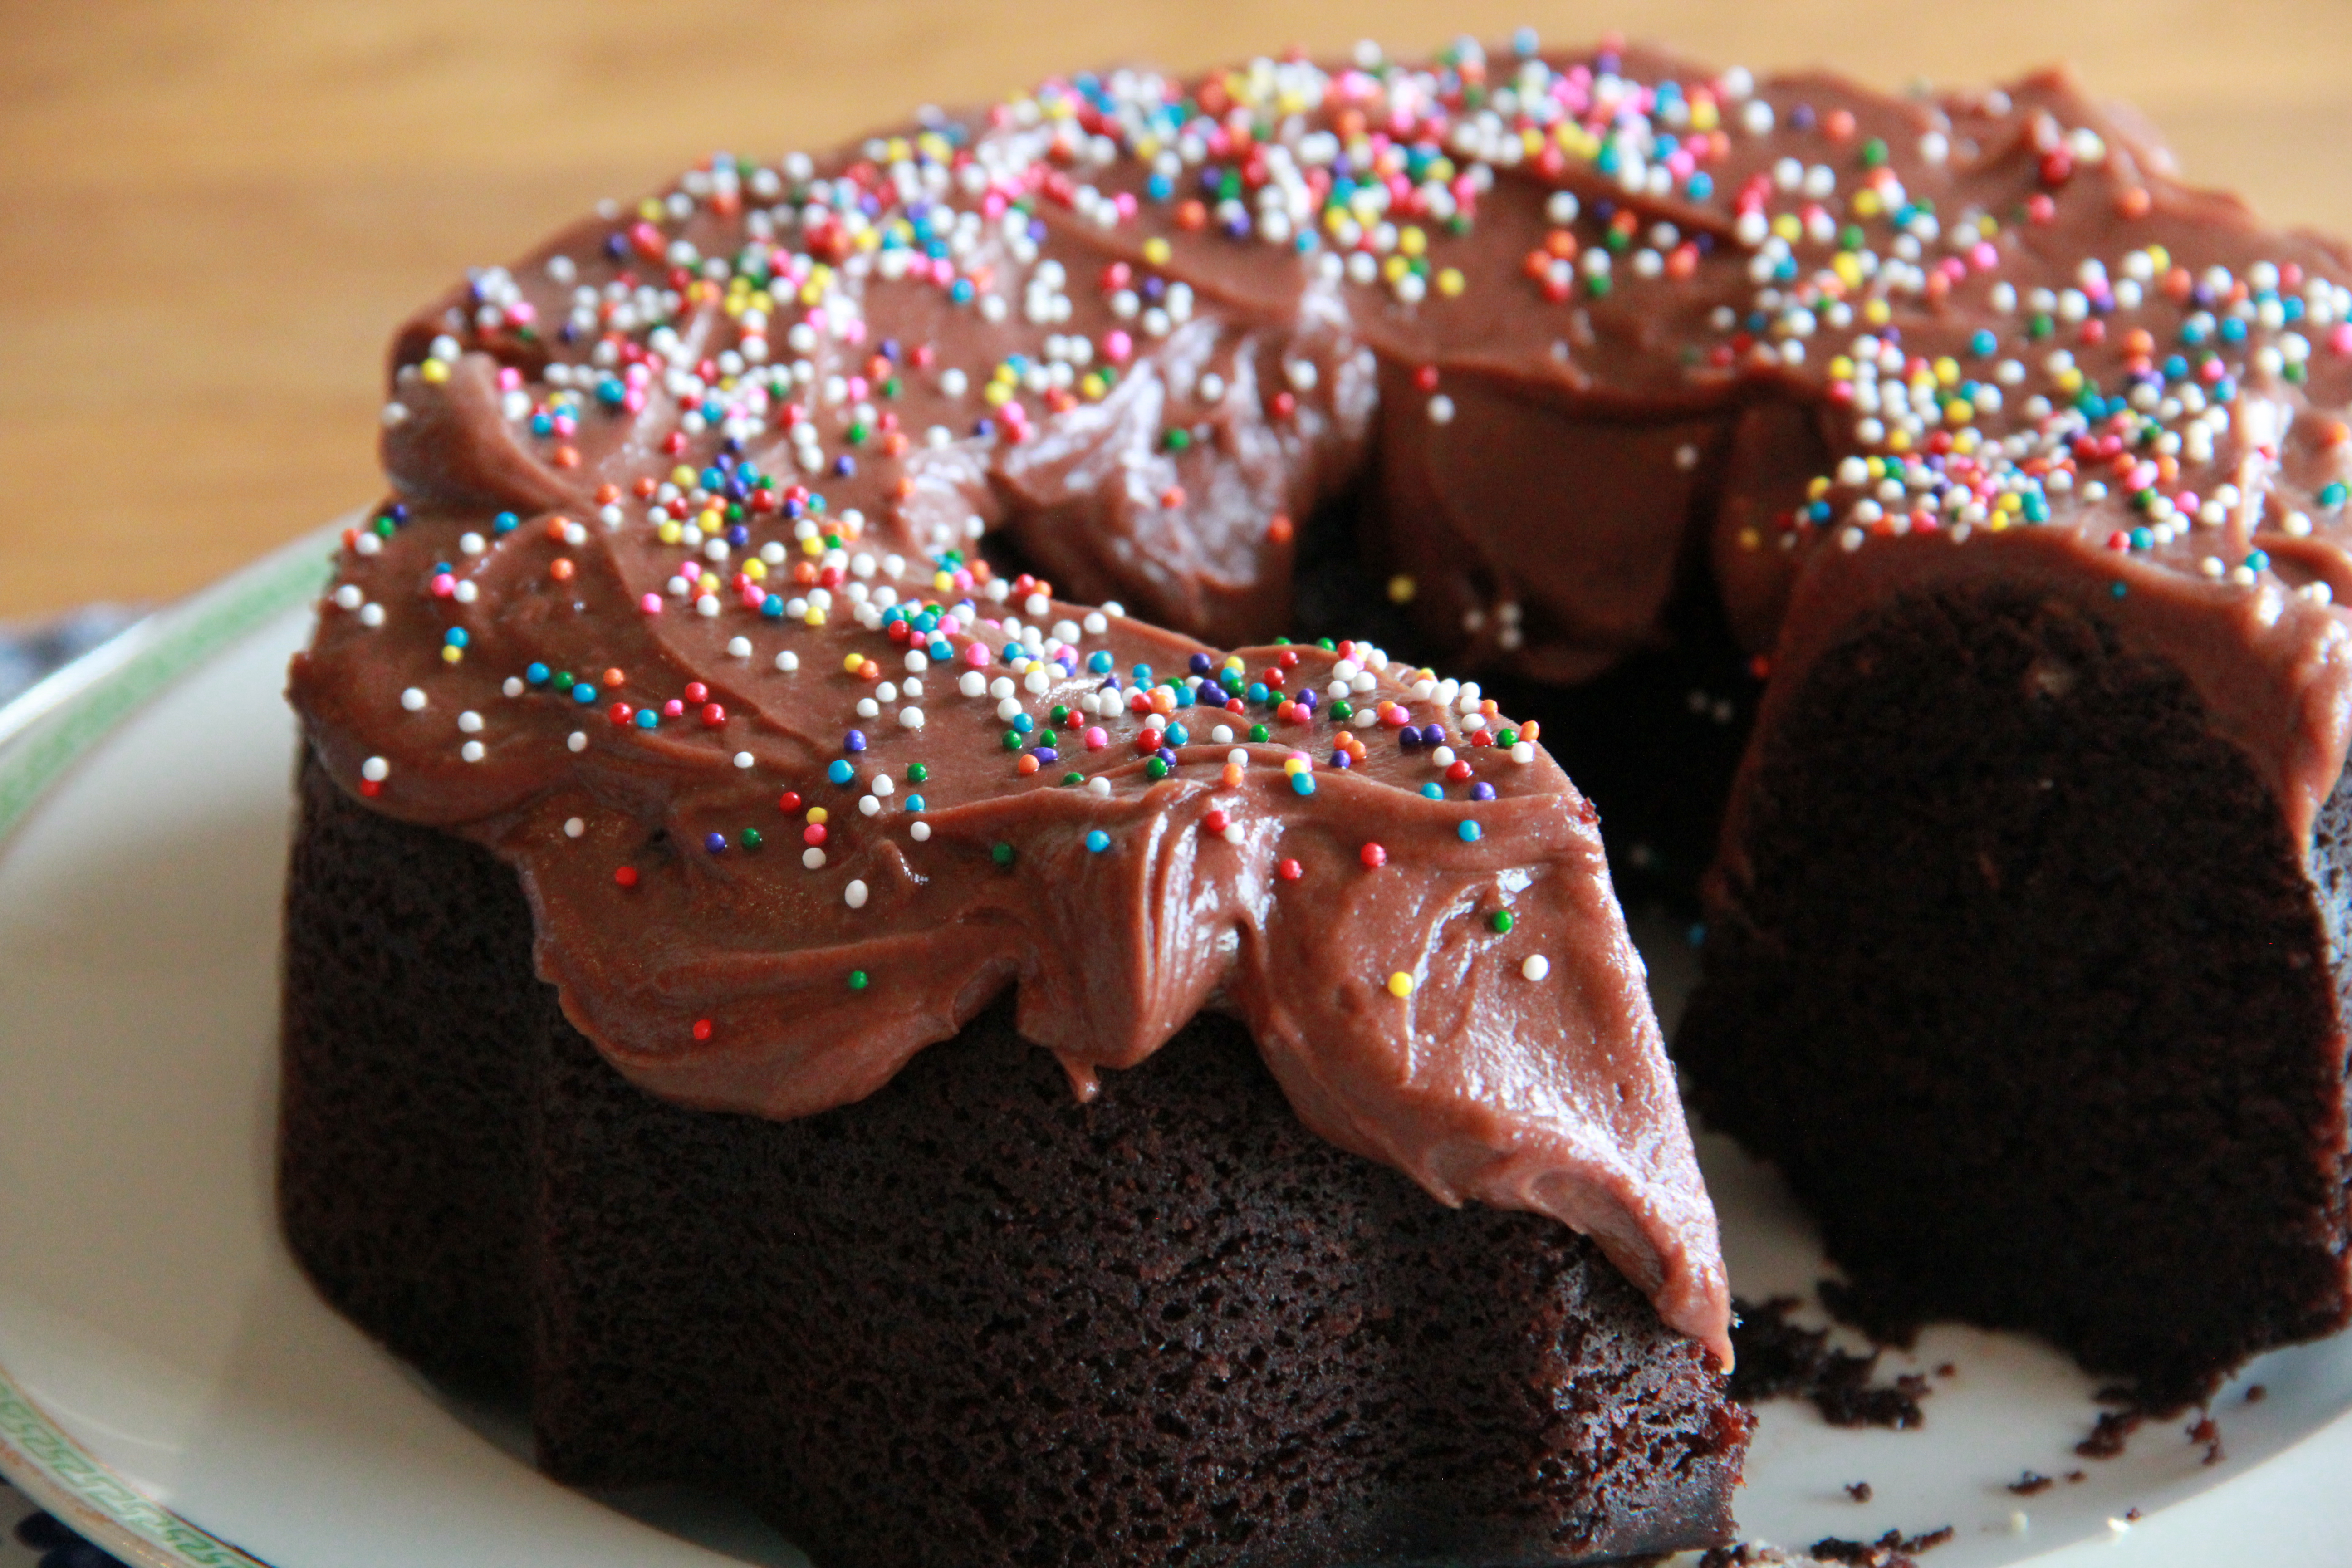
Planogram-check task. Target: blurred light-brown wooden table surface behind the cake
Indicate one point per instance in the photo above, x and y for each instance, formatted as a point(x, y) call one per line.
point(215, 213)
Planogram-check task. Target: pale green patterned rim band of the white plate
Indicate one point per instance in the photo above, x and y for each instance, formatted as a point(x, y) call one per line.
point(62, 718)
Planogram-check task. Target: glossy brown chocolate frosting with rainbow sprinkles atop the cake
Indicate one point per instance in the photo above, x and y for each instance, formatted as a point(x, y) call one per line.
point(688, 507)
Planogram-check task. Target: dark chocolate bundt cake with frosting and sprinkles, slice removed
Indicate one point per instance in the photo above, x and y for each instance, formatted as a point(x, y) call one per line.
point(770, 605)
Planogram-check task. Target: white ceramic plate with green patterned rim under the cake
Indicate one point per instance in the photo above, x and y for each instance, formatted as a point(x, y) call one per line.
point(168, 1381)
